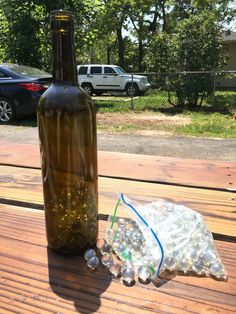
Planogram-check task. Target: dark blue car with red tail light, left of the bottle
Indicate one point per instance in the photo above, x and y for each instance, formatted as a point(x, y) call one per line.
point(20, 90)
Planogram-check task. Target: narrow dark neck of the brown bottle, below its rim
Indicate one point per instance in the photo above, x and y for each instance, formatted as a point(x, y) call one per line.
point(64, 64)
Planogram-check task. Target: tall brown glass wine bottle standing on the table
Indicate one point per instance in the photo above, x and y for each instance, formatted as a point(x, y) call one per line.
point(68, 146)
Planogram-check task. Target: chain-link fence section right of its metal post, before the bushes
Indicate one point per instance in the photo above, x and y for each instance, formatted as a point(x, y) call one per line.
point(194, 87)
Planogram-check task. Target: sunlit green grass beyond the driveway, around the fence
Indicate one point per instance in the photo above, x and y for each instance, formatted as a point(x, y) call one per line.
point(208, 120)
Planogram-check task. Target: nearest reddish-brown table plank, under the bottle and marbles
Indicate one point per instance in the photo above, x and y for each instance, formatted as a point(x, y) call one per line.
point(35, 280)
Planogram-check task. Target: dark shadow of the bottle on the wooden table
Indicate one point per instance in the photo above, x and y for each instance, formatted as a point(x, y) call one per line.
point(70, 279)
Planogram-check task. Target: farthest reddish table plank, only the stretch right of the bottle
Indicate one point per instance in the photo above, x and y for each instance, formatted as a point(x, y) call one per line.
point(201, 173)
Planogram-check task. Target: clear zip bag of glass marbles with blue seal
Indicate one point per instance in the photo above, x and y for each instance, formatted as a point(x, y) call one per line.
point(164, 236)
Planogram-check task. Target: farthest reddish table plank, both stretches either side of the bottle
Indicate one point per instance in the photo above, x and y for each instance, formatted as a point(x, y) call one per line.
point(202, 173)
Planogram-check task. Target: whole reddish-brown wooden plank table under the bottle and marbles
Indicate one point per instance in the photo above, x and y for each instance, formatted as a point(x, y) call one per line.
point(33, 279)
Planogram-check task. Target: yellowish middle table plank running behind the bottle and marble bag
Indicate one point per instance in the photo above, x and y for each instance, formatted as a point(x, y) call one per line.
point(218, 207)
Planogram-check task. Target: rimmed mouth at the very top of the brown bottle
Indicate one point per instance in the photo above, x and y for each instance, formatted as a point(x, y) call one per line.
point(61, 20)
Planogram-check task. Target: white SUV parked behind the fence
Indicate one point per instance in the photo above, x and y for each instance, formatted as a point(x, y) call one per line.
point(99, 78)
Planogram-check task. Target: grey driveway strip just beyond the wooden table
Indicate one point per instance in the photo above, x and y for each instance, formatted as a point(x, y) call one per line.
point(155, 144)
